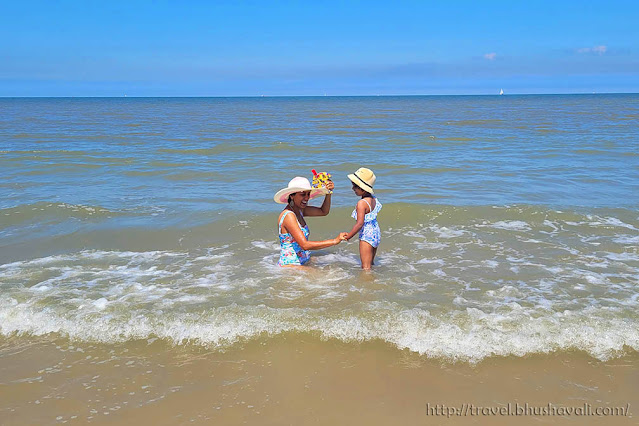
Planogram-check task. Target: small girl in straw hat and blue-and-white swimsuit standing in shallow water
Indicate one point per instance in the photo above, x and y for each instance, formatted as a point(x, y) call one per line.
point(366, 215)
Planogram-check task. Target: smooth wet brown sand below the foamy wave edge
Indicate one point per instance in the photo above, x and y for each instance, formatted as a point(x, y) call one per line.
point(298, 379)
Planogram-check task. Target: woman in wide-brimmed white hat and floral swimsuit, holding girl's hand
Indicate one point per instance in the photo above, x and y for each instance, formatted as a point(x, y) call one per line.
point(293, 230)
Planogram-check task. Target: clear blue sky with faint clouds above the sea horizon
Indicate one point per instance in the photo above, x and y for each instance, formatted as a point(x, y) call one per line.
point(253, 48)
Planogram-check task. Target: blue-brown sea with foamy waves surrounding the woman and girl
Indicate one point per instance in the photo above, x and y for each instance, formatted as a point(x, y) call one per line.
point(510, 223)
